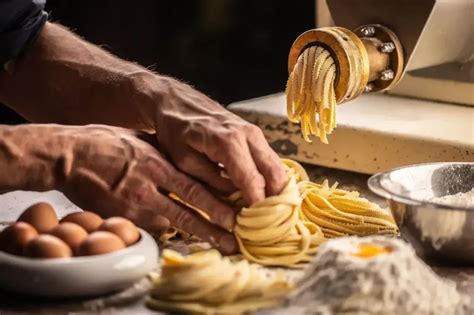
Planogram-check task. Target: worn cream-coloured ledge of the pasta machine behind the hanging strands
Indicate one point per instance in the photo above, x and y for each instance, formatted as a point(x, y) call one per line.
point(375, 132)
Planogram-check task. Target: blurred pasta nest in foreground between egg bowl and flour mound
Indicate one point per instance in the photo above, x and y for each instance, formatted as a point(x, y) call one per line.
point(206, 282)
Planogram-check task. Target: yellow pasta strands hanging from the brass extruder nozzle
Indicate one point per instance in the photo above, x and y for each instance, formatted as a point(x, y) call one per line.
point(310, 95)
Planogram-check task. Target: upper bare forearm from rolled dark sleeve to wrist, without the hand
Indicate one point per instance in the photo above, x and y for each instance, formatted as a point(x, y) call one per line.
point(64, 79)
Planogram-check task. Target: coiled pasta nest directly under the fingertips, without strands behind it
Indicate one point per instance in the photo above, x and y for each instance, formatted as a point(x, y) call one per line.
point(271, 232)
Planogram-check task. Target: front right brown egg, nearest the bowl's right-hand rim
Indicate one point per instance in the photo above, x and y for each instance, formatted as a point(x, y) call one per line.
point(100, 242)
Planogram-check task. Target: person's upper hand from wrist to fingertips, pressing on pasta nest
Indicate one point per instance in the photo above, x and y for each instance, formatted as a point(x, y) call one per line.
point(201, 137)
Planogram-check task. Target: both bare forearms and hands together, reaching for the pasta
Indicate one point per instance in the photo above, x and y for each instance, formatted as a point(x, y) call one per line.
point(121, 172)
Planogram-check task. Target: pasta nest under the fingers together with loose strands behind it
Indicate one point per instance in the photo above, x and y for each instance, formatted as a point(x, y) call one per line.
point(287, 229)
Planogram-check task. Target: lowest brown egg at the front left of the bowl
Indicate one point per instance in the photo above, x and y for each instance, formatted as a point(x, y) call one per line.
point(47, 246)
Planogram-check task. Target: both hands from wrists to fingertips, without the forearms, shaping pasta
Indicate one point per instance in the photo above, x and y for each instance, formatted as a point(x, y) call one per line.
point(117, 171)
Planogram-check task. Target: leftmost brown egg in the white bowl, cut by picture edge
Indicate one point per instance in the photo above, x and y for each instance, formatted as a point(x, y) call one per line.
point(14, 238)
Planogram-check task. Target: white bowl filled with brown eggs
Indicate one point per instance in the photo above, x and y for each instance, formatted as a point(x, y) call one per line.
point(79, 255)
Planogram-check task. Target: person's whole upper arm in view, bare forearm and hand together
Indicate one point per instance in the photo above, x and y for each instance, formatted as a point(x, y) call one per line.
point(70, 81)
